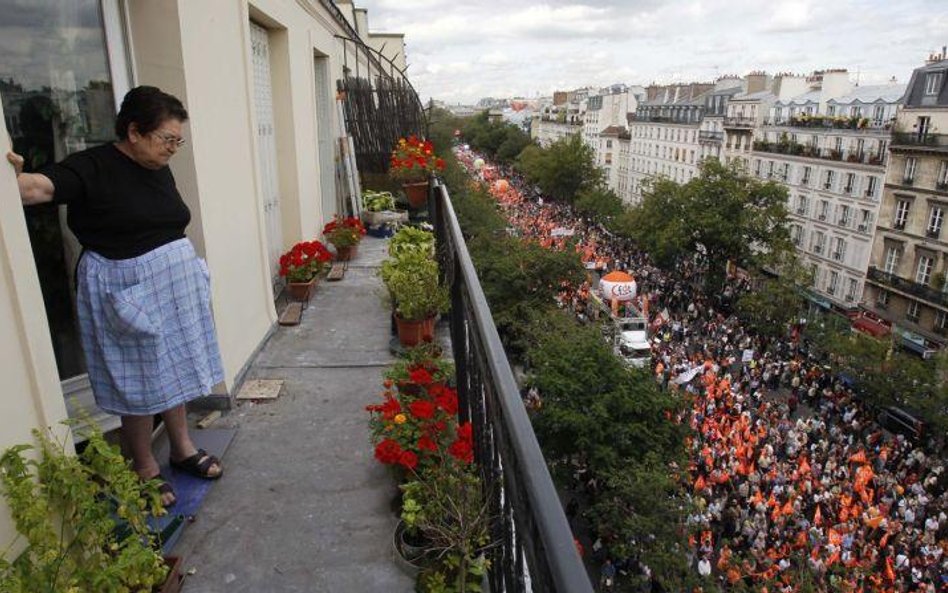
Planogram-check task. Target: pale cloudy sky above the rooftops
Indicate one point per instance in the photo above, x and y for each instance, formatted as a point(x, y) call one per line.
point(459, 52)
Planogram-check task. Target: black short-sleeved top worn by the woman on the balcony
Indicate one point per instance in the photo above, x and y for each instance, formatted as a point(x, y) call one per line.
point(116, 207)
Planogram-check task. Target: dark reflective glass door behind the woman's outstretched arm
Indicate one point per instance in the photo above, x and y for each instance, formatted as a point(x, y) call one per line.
point(61, 61)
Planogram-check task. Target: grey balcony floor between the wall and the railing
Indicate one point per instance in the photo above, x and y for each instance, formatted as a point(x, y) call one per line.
point(302, 505)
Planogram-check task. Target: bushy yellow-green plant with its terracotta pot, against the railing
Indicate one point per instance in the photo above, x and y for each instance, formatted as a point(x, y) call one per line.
point(417, 295)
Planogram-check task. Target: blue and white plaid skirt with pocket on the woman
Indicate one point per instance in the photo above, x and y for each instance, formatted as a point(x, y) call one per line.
point(147, 329)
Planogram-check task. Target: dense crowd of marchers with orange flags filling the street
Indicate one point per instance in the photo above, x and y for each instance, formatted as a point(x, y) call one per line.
point(791, 479)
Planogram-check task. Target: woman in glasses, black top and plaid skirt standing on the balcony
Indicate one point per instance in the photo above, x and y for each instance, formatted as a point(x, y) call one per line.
point(143, 295)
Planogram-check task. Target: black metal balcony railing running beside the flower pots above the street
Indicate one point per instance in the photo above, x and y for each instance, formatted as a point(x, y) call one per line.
point(535, 550)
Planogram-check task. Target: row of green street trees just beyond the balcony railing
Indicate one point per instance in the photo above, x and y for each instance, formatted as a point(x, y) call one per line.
point(615, 420)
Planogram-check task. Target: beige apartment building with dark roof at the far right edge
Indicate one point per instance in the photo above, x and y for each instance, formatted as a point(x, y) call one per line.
point(906, 279)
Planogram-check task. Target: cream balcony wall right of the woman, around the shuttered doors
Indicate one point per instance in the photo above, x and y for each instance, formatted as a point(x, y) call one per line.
point(218, 174)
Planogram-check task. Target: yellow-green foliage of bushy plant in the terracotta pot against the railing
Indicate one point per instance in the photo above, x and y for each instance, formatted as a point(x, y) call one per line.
point(413, 284)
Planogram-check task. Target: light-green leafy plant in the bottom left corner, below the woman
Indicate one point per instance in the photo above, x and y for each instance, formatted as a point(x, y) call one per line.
point(67, 508)
